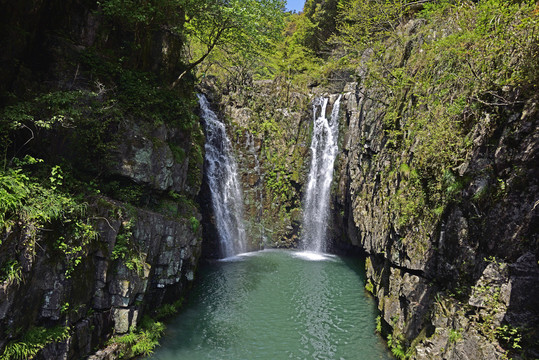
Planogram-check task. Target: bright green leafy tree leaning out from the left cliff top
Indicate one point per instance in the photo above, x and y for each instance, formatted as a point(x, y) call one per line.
point(240, 25)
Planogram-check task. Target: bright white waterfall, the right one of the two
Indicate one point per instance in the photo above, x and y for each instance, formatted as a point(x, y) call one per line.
point(324, 150)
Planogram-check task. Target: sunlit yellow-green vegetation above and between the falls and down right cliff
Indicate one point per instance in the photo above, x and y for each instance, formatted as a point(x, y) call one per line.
point(473, 58)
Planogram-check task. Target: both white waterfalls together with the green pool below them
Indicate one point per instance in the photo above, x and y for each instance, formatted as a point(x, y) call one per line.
point(276, 304)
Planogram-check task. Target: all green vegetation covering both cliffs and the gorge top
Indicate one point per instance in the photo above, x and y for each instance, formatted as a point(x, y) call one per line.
point(476, 59)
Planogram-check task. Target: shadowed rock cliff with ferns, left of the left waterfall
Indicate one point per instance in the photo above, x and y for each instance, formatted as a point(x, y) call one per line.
point(106, 165)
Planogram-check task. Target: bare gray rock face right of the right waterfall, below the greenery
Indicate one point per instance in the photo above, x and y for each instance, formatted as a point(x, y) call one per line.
point(473, 273)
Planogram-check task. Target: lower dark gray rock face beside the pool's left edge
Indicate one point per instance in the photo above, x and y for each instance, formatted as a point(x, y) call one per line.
point(105, 294)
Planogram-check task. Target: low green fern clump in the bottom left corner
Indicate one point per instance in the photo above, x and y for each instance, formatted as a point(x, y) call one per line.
point(33, 341)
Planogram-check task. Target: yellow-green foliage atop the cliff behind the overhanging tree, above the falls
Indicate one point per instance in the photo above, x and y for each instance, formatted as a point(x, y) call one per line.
point(292, 53)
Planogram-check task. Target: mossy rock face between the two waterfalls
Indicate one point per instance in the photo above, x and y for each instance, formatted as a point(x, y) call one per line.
point(269, 127)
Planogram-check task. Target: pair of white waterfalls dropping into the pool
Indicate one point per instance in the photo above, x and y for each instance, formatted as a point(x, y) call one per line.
point(224, 184)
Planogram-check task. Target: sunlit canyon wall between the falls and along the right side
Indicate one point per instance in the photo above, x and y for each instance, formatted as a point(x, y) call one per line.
point(446, 214)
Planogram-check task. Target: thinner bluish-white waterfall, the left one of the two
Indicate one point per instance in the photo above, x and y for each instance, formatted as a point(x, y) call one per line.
point(222, 175)
